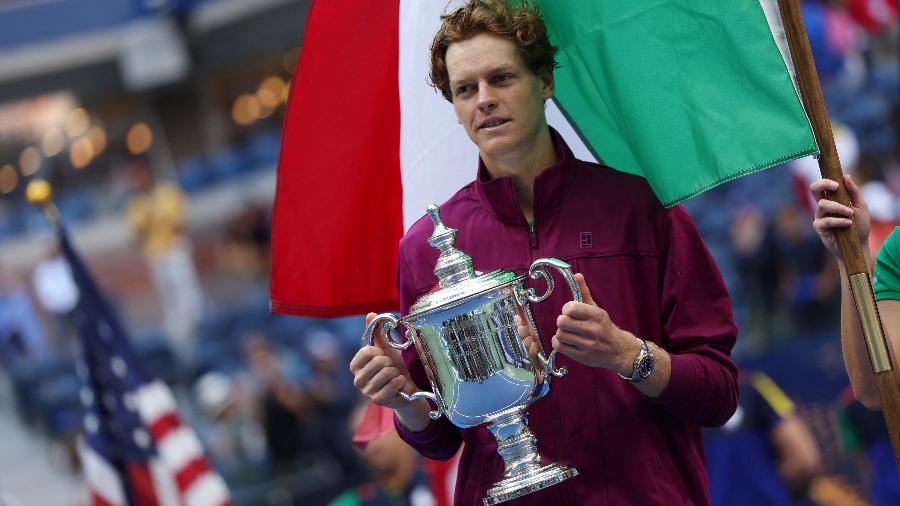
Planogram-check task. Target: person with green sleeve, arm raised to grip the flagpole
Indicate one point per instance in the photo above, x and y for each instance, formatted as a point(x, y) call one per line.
point(831, 215)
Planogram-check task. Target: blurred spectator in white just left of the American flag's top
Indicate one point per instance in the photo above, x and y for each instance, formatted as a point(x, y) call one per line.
point(57, 294)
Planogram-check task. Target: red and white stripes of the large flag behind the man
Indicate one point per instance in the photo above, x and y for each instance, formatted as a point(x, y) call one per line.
point(391, 145)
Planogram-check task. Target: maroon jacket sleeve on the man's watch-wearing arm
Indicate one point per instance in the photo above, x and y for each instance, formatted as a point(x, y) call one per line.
point(698, 326)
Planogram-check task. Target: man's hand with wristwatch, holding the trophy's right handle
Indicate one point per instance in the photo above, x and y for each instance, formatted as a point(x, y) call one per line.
point(586, 334)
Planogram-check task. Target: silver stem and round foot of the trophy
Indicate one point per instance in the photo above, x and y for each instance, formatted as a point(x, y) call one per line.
point(523, 473)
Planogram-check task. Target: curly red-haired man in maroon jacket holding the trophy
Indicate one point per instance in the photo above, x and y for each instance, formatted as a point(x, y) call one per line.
point(656, 303)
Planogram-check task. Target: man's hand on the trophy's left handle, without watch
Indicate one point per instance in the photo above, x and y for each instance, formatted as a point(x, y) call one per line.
point(380, 373)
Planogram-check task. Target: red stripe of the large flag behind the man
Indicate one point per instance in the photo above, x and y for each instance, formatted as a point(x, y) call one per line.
point(340, 144)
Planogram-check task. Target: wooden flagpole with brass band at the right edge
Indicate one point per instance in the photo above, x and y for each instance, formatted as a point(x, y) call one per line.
point(880, 353)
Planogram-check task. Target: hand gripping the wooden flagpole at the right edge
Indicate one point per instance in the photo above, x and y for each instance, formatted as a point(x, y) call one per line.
point(831, 215)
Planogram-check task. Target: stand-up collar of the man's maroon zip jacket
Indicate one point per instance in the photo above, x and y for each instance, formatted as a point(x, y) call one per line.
point(550, 187)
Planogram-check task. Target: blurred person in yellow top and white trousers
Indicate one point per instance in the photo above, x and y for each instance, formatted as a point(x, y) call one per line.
point(156, 214)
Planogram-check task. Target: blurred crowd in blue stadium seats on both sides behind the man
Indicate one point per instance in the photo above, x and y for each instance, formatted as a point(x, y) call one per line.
point(271, 396)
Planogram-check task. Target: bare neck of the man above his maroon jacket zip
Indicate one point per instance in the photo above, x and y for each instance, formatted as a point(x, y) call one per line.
point(523, 168)
